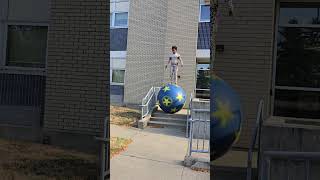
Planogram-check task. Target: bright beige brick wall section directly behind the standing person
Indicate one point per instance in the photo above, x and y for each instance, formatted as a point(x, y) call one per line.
point(182, 31)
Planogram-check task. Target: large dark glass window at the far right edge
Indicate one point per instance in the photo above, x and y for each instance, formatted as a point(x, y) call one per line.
point(297, 78)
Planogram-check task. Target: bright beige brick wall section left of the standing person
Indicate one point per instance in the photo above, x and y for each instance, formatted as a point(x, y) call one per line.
point(145, 49)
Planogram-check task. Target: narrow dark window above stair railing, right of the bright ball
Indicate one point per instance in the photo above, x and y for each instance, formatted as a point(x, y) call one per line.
point(203, 81)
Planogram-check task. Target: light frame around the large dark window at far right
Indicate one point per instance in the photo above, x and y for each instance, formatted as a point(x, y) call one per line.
point(275, 87)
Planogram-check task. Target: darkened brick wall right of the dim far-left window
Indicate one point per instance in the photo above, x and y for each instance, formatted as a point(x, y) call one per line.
point(77, 88)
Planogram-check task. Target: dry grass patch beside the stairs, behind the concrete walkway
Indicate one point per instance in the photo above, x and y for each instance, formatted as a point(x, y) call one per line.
point(124, 116)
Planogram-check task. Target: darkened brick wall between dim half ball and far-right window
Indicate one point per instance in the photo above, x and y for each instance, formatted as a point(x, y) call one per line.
point(246, 63)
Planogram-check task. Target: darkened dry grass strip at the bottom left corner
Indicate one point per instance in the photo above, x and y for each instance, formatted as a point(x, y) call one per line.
point(30, 161)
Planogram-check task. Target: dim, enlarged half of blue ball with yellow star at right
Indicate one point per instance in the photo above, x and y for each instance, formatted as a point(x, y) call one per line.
point(225, 116)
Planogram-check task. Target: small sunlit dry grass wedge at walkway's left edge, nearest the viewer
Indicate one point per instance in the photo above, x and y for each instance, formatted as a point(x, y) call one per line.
point(117, 145)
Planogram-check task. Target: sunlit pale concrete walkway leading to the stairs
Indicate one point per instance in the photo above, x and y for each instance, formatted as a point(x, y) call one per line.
point(154, 154)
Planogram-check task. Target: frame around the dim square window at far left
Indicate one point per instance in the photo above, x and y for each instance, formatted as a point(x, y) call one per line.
point(3, 63)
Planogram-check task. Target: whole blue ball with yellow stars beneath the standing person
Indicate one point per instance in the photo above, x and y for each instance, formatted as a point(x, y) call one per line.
point(171, 98)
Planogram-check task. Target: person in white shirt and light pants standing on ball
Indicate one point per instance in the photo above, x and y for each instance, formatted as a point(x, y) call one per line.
point(174, 61)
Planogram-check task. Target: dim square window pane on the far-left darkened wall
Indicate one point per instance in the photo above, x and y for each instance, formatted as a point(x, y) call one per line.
point(26, 46)
